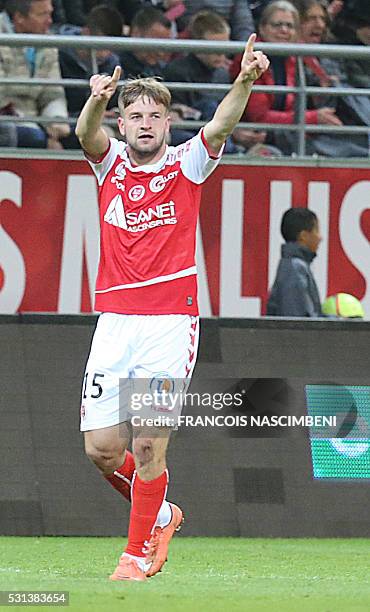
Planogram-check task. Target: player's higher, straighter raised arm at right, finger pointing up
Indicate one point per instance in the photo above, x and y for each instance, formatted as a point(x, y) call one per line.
point(229, 111)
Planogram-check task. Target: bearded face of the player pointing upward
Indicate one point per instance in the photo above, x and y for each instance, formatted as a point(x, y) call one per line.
point(145, 126)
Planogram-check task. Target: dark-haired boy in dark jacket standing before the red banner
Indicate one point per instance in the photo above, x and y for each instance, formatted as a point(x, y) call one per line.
point(294, 292)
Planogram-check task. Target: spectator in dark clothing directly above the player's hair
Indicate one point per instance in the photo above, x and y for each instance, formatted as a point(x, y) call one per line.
point(149, 22)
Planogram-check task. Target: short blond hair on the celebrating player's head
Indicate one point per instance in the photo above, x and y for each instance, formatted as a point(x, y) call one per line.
point(148, 87)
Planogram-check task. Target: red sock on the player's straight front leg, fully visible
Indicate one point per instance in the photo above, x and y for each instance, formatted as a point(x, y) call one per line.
point(147, 498)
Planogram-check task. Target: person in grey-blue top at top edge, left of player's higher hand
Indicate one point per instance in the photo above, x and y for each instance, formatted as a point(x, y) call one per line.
point(236, 12)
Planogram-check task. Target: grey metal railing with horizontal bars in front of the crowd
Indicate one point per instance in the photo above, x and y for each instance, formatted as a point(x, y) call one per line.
point(229, 47)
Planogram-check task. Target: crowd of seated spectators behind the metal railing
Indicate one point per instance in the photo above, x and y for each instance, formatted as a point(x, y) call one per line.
point(276, 21)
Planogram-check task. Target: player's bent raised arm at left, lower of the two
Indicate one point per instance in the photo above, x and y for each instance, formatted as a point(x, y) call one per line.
point(89, 131)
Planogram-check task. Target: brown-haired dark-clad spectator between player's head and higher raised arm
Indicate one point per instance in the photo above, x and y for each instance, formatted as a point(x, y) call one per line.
point(205, 68)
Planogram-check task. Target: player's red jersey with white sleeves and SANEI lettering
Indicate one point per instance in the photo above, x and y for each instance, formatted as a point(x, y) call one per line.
point(148, 218)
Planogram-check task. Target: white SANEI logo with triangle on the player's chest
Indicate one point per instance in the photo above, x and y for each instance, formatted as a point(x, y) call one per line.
point(138, 221)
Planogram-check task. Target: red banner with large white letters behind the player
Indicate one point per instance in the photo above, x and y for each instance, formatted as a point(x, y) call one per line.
point(49, 234)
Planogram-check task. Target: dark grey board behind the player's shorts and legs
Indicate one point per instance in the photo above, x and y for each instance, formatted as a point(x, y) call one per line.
point(228, 481)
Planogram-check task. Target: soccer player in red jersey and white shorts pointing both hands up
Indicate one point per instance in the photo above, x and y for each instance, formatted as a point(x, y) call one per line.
point(149, 195)
